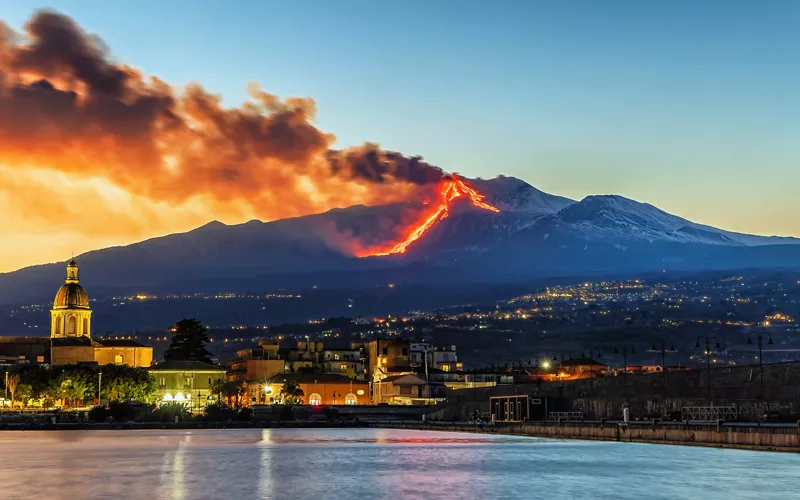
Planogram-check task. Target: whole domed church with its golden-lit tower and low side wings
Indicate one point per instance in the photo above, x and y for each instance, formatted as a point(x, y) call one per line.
point(70, 339)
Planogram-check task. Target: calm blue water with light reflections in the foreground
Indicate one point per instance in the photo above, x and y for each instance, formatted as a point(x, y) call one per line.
point(375, 464)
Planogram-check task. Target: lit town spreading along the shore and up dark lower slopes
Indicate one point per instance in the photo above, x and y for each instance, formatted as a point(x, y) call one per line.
point(610, 332)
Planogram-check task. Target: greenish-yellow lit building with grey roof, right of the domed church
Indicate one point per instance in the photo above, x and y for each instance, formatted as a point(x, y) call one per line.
point(187, 381)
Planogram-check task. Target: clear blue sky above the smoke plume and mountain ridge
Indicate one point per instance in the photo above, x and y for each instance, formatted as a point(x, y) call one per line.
point(690, 106)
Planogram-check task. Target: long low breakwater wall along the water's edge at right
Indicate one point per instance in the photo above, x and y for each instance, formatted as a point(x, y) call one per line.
point(765, 437)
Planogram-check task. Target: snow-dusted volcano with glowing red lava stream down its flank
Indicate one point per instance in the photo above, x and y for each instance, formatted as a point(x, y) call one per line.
point(476, 231)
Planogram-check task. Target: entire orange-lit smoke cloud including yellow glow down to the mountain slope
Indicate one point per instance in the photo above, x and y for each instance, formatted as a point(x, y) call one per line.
point(94, 153)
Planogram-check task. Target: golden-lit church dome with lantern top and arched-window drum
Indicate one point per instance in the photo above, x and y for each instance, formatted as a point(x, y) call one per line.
point(71, 316)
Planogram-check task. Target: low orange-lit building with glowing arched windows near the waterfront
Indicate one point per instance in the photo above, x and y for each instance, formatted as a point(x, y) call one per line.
point(321, 389)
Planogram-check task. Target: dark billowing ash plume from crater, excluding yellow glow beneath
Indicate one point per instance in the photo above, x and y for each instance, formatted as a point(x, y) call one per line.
point(66, 105)
